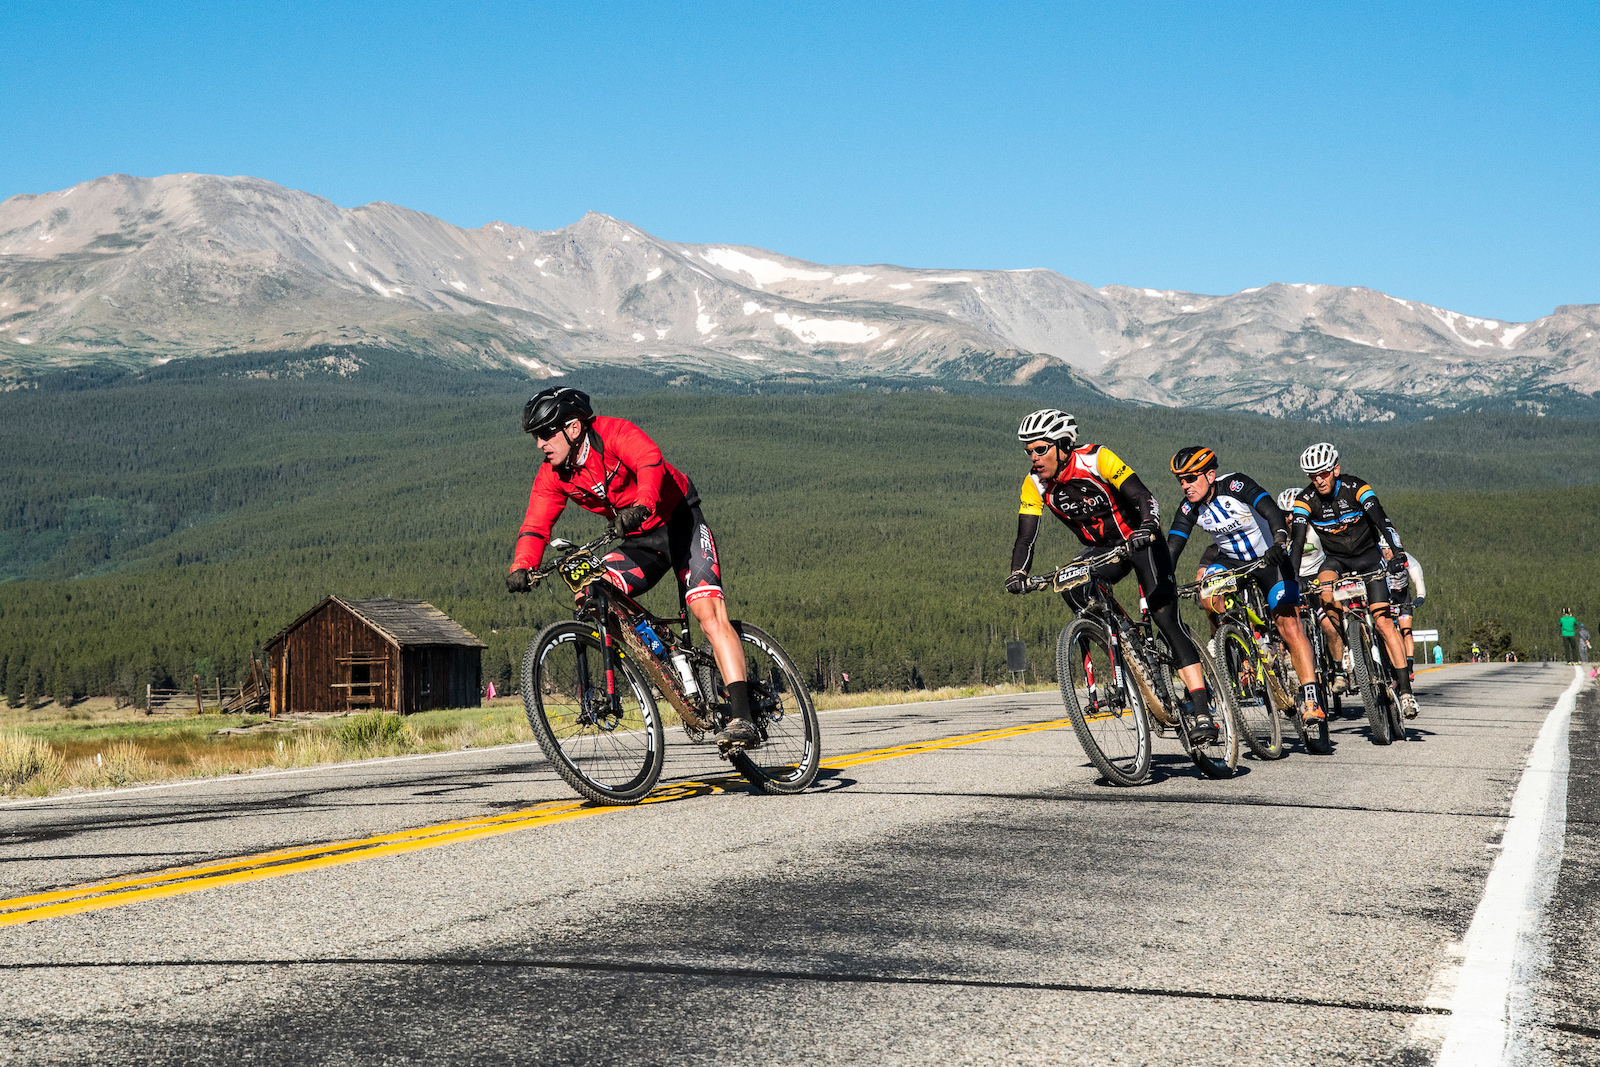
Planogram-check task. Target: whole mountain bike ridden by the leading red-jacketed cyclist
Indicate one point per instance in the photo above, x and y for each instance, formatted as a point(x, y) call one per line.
point(590, 684)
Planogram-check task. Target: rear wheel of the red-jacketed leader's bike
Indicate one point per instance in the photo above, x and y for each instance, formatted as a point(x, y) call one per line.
point(782, 706)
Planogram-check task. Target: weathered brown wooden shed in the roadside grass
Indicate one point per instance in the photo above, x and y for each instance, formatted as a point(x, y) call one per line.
point(358, 655)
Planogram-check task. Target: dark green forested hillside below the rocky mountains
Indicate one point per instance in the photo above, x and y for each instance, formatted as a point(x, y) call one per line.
point(161, 529)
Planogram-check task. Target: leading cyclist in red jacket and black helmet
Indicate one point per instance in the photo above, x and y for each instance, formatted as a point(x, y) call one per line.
point(612, 468)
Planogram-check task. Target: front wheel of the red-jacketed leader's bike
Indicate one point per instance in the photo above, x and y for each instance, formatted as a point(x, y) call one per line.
point(610, 753)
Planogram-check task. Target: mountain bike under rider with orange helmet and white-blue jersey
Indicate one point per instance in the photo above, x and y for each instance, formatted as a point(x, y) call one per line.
point(1246, 652)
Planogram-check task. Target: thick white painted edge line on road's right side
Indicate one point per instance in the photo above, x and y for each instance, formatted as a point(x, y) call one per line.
point(1521, 882)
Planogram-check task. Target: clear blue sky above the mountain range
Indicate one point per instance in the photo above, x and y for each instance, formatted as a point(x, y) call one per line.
point(1447, 153)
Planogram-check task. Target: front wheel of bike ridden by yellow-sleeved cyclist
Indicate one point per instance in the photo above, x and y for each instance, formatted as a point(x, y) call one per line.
point(1103, 703)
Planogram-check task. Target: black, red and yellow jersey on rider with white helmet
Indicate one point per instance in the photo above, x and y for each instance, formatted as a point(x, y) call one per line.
point(1097, 495)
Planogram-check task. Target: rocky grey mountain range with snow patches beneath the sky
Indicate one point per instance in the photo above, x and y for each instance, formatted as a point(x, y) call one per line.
point(143, 271)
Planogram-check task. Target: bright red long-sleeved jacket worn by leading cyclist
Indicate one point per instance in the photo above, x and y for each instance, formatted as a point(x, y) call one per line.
point(625, 470)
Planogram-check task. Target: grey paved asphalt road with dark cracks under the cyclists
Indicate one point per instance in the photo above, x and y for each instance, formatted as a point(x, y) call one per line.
point(980, 903)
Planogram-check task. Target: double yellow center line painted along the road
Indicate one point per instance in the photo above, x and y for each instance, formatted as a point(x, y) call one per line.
point(287, 861)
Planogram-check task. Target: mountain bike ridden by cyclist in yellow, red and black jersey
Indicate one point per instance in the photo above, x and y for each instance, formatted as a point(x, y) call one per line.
point(1118, 676)
